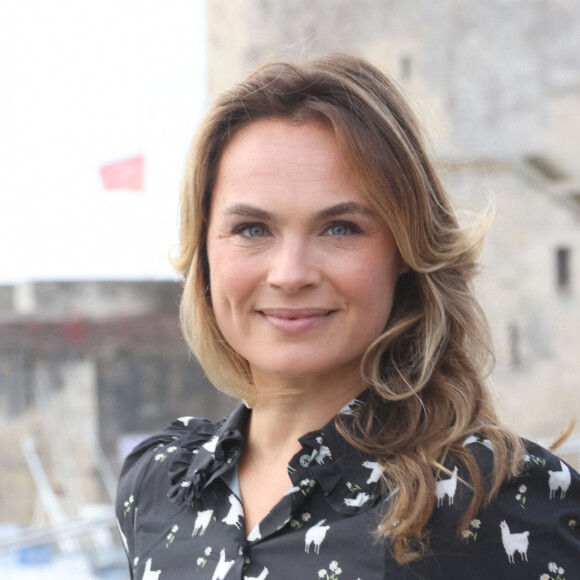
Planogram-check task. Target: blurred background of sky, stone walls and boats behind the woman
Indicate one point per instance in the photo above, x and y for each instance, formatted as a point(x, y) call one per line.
point(98, 103)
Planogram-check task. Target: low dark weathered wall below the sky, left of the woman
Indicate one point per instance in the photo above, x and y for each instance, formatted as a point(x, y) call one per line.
point(87, 370)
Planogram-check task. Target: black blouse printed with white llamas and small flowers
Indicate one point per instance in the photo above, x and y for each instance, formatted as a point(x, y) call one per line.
point(180, 514)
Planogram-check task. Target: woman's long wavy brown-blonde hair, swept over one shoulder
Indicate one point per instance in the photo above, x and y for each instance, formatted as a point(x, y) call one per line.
point(427, 370)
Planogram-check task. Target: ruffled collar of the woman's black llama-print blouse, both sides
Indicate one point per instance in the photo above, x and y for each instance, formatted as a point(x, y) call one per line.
point(349, 479)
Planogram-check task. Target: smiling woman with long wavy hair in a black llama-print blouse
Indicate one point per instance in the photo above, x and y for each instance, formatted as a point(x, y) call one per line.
point(328, 285)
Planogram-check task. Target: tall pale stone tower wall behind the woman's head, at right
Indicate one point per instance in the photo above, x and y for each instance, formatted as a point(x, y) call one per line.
point(497, 86)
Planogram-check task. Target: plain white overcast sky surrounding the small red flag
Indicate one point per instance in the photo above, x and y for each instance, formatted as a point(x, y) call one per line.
point(84, 83)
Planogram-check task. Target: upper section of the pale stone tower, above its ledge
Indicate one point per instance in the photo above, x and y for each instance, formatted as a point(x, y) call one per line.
point(494, 78)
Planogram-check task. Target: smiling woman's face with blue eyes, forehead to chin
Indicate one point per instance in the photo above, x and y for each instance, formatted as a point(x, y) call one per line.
point(302, 269)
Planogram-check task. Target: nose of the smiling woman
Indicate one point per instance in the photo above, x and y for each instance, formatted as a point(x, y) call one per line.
point(294, 267)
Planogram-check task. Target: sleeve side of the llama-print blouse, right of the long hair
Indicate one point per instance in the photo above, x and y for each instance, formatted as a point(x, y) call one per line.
point(531, 529)
